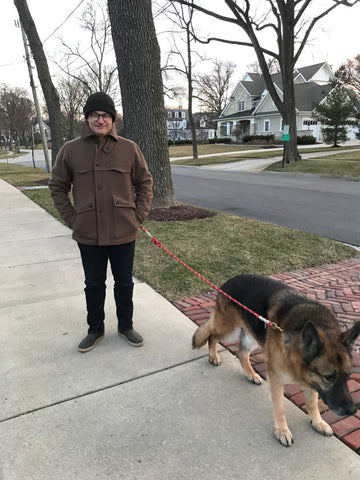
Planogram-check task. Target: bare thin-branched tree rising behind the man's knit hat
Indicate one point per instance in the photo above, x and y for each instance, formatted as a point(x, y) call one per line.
point(94, 73)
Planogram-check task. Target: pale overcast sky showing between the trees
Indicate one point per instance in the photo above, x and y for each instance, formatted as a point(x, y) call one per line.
point(335, 40)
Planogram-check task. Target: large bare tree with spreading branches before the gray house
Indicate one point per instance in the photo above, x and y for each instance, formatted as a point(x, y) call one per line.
point(291, 24)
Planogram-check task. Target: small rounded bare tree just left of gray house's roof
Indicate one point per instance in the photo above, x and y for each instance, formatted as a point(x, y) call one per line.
point(212, 90)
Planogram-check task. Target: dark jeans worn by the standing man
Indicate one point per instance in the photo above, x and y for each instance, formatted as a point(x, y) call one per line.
point(95, 261)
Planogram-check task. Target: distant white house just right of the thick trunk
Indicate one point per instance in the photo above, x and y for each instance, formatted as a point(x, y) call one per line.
point(178, 125)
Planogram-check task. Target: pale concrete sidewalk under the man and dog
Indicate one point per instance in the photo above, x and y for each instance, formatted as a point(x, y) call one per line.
point(158, 412)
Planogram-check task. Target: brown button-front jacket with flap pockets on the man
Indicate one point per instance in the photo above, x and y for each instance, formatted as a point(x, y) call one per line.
point(111, 184)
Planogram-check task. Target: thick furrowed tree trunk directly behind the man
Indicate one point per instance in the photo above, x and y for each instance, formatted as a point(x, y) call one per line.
point(138, 59)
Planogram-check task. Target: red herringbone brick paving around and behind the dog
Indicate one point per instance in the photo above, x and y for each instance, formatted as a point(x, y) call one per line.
point(338, 287)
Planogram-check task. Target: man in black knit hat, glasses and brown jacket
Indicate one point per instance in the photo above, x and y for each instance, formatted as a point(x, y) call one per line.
point(112, 192)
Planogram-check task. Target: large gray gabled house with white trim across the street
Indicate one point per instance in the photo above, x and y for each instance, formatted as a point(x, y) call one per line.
point(251, 110)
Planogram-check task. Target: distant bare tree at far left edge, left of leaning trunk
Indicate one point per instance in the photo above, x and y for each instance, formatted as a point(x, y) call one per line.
point(17, 113)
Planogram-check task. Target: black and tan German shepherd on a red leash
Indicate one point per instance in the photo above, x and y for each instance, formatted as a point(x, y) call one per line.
point(309, 349)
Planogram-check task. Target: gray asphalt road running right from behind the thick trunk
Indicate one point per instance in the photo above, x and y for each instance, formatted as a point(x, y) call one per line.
point(320, 205)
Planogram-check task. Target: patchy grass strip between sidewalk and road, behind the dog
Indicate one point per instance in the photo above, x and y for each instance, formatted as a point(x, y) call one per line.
point(223, 246)
